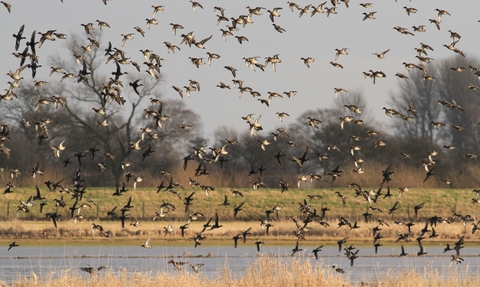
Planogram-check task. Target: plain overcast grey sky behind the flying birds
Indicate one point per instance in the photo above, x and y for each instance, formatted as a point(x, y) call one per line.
point(315, 37)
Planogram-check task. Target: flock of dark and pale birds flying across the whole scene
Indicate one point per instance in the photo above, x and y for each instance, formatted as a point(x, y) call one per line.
point(112, 92)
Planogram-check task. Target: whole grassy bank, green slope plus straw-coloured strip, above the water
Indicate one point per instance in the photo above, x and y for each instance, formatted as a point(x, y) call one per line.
point(33, 226)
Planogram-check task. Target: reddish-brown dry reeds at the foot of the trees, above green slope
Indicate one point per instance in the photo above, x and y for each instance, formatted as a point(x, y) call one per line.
point(463, 174)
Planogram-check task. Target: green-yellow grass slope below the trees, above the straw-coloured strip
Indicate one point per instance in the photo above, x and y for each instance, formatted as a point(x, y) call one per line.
point(440, 202)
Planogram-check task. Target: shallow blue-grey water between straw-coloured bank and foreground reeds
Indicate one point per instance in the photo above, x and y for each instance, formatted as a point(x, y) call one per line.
point(45, 261)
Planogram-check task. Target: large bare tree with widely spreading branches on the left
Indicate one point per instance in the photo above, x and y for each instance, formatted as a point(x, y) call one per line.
point(101, 116)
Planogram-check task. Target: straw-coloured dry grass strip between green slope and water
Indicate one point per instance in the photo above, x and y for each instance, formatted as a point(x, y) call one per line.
point(279, 234)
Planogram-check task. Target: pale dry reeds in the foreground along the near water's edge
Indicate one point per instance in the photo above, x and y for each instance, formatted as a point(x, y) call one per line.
point(263, 272)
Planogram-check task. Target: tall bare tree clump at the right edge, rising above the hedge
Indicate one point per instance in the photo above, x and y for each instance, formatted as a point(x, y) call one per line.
point(447, 110)
